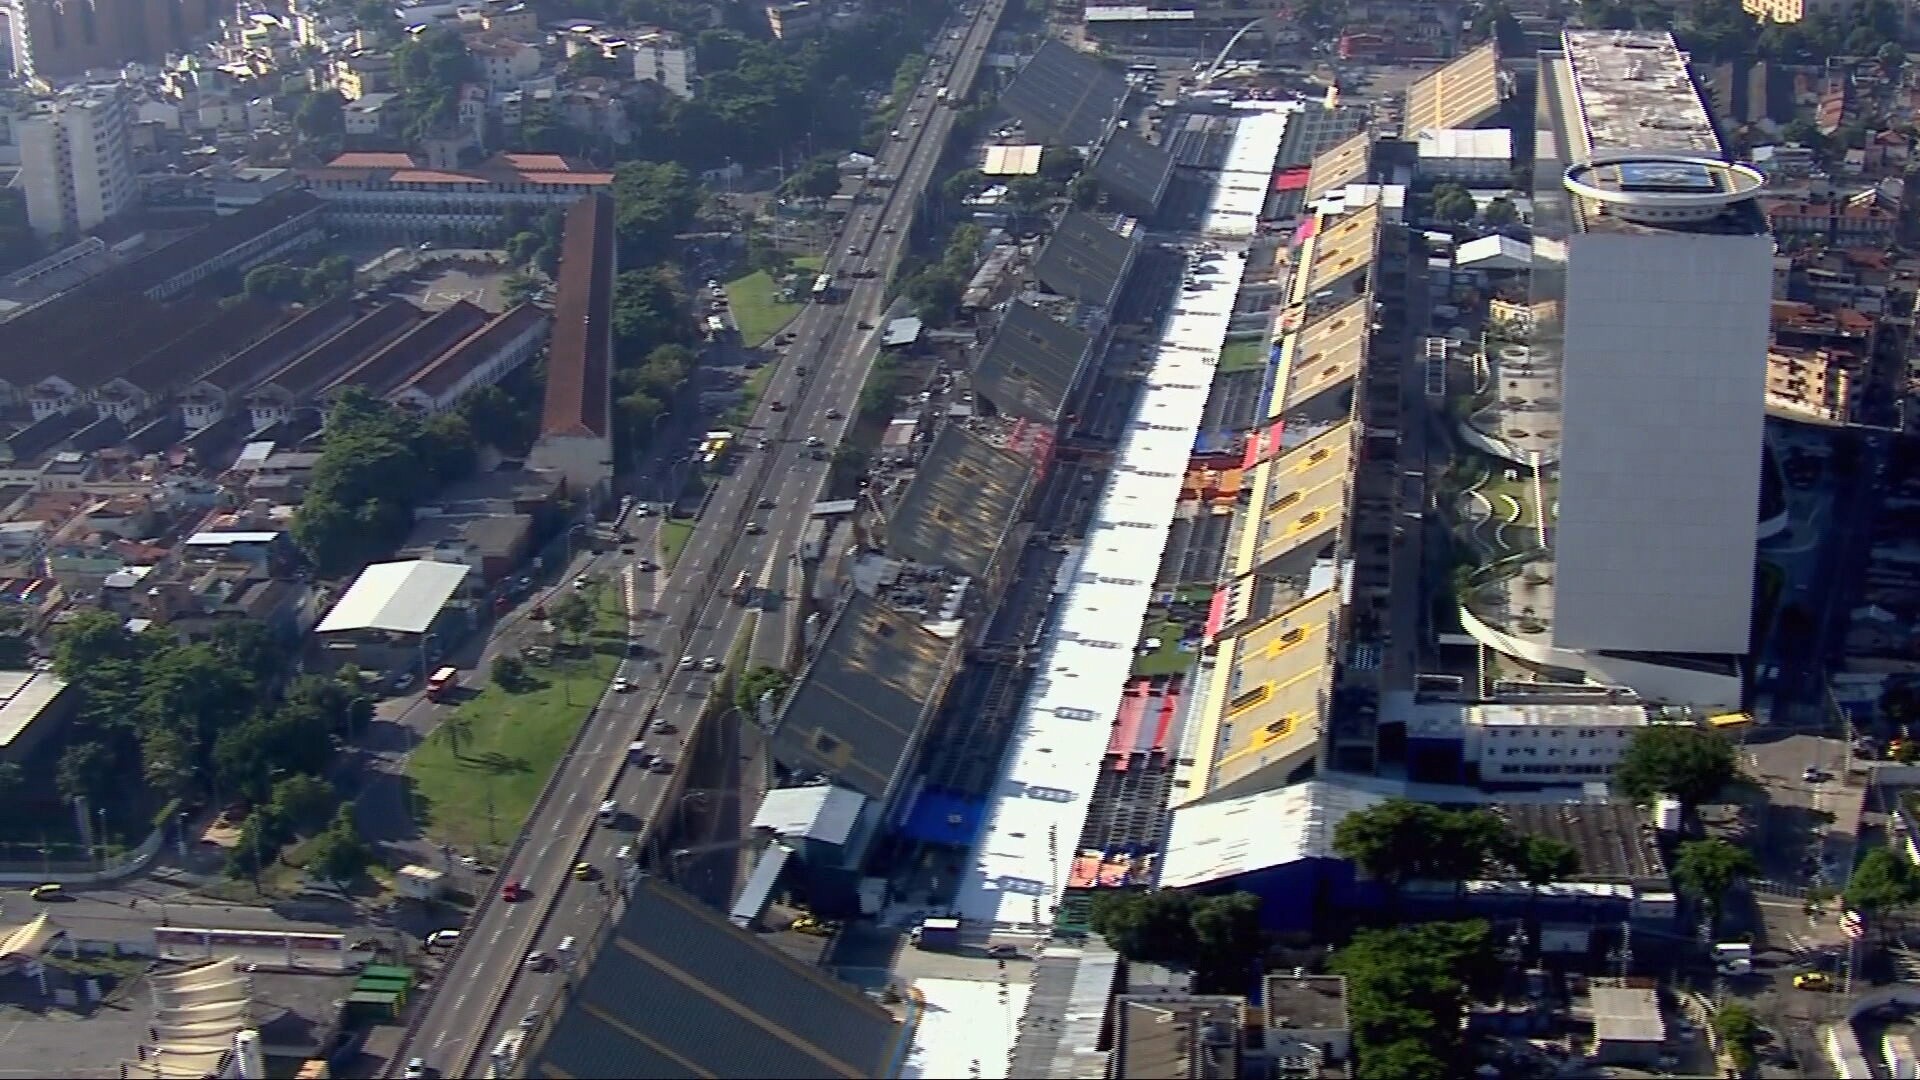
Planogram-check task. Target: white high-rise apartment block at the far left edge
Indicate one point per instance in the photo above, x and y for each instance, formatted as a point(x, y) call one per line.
point(78, 160)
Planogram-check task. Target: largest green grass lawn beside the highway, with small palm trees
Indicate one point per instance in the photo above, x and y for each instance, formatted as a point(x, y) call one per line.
point(510, 743)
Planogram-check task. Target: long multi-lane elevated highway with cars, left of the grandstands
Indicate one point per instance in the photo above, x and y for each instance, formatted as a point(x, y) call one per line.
point(752, 524)
